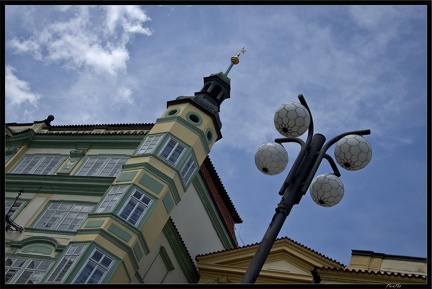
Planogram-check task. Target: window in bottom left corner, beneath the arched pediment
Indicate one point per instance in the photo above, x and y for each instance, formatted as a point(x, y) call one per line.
point(24, 270)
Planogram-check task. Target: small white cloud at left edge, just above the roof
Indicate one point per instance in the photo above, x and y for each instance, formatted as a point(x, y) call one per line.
point(18, 91)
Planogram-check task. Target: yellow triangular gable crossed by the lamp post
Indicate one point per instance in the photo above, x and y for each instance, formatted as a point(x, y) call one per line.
point(288, 262)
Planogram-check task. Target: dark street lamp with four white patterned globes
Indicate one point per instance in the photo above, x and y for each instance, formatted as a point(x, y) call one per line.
point(352, 152)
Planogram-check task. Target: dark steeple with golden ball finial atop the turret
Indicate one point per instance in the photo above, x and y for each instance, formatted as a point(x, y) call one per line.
point(215, 90)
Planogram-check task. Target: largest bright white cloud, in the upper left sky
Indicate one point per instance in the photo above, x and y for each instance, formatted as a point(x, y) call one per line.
point(82, 41)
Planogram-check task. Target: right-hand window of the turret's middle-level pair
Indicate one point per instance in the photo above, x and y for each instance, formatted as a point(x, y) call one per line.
point(135, 207)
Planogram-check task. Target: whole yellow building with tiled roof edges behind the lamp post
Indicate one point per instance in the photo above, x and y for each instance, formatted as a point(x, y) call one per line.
point(290, 262)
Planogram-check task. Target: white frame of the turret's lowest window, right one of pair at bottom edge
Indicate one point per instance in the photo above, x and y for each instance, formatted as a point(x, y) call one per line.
point(98, 265)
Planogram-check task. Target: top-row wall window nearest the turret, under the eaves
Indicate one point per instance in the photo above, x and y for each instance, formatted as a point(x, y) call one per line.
point(102, 166)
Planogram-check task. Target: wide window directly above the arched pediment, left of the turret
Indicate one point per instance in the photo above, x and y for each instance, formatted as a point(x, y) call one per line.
point(63, 216)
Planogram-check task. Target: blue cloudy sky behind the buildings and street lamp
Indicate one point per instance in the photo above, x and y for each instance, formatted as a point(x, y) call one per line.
point(358, 67)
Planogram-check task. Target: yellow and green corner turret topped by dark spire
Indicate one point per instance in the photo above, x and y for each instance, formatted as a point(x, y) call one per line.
point(137, 206)
